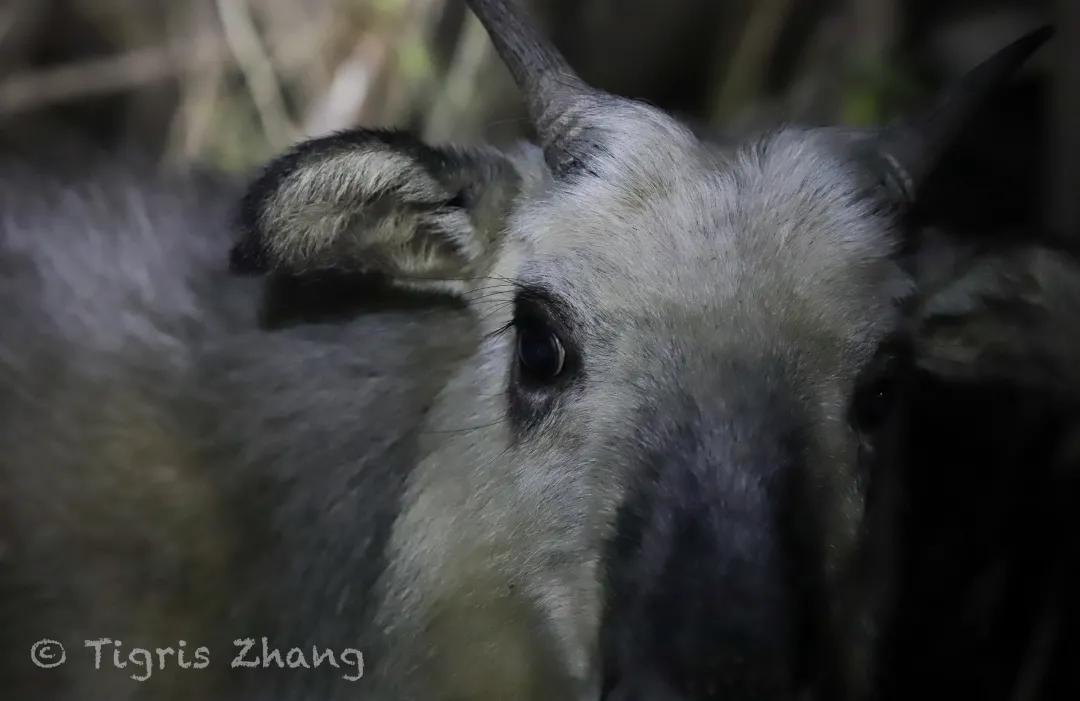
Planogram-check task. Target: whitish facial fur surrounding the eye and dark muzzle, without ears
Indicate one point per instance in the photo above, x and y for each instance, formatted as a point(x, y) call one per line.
point(671, 258)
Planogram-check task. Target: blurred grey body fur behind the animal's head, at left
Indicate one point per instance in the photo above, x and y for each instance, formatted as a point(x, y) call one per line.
point(136, 505)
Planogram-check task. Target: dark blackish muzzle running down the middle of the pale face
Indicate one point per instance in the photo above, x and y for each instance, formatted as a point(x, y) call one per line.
point(700, 599)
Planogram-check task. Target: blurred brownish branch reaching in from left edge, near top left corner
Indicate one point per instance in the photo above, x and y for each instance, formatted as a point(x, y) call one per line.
point(36, 89)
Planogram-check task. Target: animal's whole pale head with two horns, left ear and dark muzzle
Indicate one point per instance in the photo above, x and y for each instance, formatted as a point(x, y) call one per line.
point(660, 475)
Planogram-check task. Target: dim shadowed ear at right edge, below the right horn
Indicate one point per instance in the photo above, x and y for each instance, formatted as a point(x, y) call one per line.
point(1005, 316)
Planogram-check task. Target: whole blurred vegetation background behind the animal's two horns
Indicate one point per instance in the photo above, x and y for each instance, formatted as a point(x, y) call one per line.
point(228, 84)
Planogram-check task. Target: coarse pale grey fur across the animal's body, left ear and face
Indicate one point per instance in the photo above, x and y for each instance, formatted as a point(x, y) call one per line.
point(703, 470)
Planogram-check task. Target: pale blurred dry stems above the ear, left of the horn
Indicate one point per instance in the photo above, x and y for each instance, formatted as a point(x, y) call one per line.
point(225, 83)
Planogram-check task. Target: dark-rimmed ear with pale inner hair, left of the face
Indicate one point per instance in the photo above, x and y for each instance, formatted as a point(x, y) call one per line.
point(379, 203)
